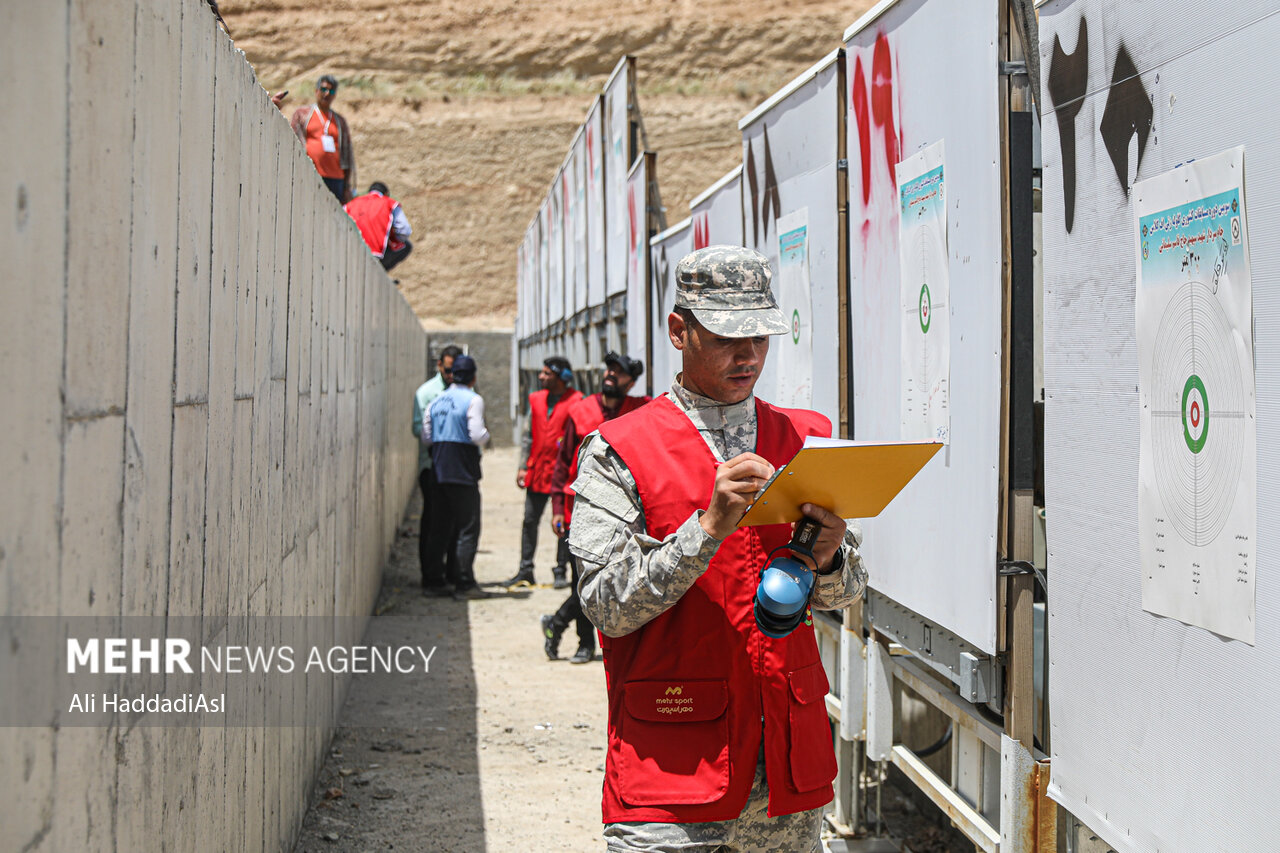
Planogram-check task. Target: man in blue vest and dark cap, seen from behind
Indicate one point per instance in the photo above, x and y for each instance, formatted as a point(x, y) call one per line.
point(455, 431)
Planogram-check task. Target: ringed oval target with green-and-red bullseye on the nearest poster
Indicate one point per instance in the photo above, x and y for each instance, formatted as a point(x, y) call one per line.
point(1199, 416)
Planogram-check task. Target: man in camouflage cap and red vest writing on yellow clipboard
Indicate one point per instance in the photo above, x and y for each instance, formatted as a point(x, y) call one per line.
point(719, 736)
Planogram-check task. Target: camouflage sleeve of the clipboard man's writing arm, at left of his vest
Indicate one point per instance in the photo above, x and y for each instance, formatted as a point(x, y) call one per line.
point(627, 577)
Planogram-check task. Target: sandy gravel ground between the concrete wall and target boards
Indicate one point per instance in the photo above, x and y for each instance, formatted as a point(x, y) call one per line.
point(496, 749)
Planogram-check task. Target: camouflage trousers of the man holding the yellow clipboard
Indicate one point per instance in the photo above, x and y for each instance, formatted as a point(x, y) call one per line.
point(752, 833)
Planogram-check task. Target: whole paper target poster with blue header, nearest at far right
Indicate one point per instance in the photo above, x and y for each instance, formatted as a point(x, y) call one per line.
point(1199, 445)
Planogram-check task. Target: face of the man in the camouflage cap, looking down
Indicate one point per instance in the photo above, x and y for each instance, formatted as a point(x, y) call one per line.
point(724, 370)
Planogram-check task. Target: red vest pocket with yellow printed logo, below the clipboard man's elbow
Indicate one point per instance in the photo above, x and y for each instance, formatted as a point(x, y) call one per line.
point(674, 743)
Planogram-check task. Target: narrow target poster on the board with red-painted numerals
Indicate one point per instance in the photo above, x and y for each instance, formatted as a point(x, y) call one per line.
point(926, 297)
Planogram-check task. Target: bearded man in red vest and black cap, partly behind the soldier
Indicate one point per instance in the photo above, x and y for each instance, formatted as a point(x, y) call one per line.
point(584, 418)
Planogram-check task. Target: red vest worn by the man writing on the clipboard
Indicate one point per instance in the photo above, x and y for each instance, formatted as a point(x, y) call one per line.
point(693, 692)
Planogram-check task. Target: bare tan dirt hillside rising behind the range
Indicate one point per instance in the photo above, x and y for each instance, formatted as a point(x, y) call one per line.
point(465, 110)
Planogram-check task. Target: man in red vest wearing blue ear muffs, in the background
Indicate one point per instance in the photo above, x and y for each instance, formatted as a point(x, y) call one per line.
point(548, 410)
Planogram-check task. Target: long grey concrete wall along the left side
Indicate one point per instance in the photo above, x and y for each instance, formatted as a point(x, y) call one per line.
point(204, 413)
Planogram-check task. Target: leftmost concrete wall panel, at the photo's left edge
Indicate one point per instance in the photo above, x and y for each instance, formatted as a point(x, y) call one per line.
point(34, 189)
